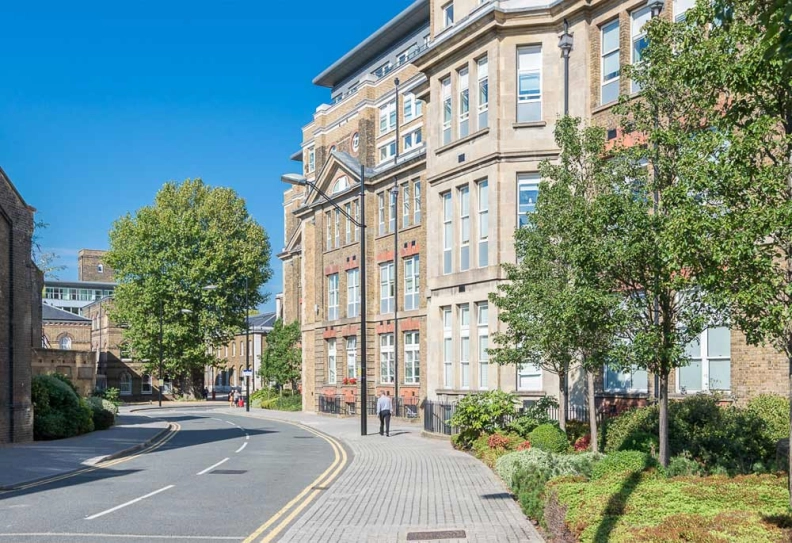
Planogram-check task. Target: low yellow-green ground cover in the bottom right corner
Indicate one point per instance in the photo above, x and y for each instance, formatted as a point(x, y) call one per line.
point(647, 507)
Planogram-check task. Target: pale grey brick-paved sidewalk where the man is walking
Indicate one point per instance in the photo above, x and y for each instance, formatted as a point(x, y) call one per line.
point(405, 483)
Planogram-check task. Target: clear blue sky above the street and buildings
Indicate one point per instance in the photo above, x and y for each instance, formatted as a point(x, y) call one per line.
point(102, 102)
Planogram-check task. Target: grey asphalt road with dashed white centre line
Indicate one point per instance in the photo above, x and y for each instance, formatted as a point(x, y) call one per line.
point(218, 478)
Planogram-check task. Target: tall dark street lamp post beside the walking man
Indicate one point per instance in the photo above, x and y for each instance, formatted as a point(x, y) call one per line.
point(300, 181)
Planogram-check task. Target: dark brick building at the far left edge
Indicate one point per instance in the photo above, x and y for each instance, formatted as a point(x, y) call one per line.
point(20, 314)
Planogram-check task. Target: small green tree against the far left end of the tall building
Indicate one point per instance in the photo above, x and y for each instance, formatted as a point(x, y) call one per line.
point(281, 360)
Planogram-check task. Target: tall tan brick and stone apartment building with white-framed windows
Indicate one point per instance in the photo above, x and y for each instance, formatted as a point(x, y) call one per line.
point(490, 78)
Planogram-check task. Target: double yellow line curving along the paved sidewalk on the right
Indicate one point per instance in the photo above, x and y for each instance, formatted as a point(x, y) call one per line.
point(289, 511)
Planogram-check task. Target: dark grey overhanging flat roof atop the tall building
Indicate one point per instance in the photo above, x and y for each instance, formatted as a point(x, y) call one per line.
point(416, 15)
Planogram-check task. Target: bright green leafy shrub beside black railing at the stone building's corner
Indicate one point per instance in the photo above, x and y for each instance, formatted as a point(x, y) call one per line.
point(480, 413)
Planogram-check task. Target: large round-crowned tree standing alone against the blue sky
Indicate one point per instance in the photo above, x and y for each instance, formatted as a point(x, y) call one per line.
point(193, 236)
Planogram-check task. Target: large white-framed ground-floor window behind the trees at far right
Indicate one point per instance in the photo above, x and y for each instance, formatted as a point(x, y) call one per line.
point(710, 362)
